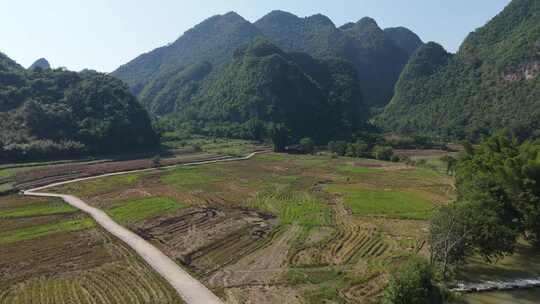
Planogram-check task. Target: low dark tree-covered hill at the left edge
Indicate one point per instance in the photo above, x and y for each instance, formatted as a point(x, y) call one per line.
point(52, 113)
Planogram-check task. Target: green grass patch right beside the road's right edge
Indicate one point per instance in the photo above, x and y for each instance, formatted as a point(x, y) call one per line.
point(140, 209)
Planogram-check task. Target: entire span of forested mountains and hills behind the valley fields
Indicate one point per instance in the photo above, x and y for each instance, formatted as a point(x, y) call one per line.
point(285, 75)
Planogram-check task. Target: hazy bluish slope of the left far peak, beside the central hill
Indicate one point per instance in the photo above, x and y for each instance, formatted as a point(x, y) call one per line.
point(170, 74)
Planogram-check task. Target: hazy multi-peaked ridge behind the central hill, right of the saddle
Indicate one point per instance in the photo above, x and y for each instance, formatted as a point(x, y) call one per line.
point(378, 59)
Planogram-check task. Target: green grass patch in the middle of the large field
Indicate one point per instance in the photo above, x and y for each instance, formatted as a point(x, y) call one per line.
point(293, 207)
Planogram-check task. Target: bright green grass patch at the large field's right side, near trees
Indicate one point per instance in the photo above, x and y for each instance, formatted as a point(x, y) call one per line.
point(381, 202)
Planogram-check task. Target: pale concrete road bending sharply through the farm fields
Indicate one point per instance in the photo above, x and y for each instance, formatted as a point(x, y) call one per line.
point(191, 290)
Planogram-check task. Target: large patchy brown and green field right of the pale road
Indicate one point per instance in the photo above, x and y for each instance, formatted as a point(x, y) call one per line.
point(280, 228)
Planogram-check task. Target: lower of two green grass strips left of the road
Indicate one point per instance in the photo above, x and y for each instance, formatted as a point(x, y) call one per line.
point(43, 230)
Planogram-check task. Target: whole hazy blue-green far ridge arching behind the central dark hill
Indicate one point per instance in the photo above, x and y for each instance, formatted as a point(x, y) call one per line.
point(167, 78)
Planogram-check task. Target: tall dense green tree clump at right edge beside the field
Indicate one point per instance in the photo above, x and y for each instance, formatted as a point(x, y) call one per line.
point(498, 200)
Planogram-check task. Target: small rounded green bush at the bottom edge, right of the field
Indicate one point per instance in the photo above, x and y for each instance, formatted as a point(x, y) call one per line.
point(412, 284)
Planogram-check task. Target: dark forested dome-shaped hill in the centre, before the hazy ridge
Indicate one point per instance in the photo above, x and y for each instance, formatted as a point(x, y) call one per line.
point(265, 86)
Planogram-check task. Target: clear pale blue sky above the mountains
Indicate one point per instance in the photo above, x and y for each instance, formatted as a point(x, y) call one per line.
point(104, 34)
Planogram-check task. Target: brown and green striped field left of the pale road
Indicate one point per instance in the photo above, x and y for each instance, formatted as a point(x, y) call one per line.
point(51, 253)
